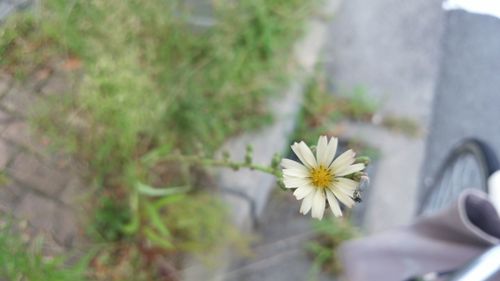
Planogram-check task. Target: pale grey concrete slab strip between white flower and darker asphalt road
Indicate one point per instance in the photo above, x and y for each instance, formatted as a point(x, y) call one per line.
point(390, 48)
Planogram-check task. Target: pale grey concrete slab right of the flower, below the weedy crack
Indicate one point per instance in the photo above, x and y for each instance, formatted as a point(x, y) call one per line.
point(394, 187)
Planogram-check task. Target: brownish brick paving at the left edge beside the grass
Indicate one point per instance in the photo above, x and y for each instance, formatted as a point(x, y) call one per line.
point(38, 185)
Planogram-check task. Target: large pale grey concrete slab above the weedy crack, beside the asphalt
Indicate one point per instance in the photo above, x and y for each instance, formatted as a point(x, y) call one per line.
point(390, 48)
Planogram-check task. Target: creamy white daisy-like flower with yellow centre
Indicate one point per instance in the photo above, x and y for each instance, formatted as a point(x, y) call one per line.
point(321, 179)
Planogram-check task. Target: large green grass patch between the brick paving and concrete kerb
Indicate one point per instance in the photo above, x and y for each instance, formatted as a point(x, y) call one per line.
point(149, 85)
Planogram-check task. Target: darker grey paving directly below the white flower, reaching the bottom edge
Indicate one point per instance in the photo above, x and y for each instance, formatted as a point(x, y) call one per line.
point(280, 253)
